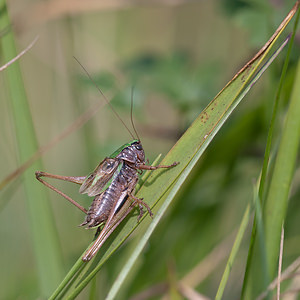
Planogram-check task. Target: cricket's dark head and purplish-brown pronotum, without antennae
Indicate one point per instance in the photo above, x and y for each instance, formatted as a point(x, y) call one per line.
point(132, 152)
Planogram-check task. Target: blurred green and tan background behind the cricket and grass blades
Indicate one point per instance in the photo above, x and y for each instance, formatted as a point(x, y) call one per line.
point(178, 56)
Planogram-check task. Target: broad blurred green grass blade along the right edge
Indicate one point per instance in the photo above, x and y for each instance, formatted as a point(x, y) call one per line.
point(277, 199)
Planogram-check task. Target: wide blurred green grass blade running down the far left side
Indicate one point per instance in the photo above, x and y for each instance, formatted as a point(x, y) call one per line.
point(45, 241)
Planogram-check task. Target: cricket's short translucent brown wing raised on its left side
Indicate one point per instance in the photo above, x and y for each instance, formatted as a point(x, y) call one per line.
point(99, 178)
